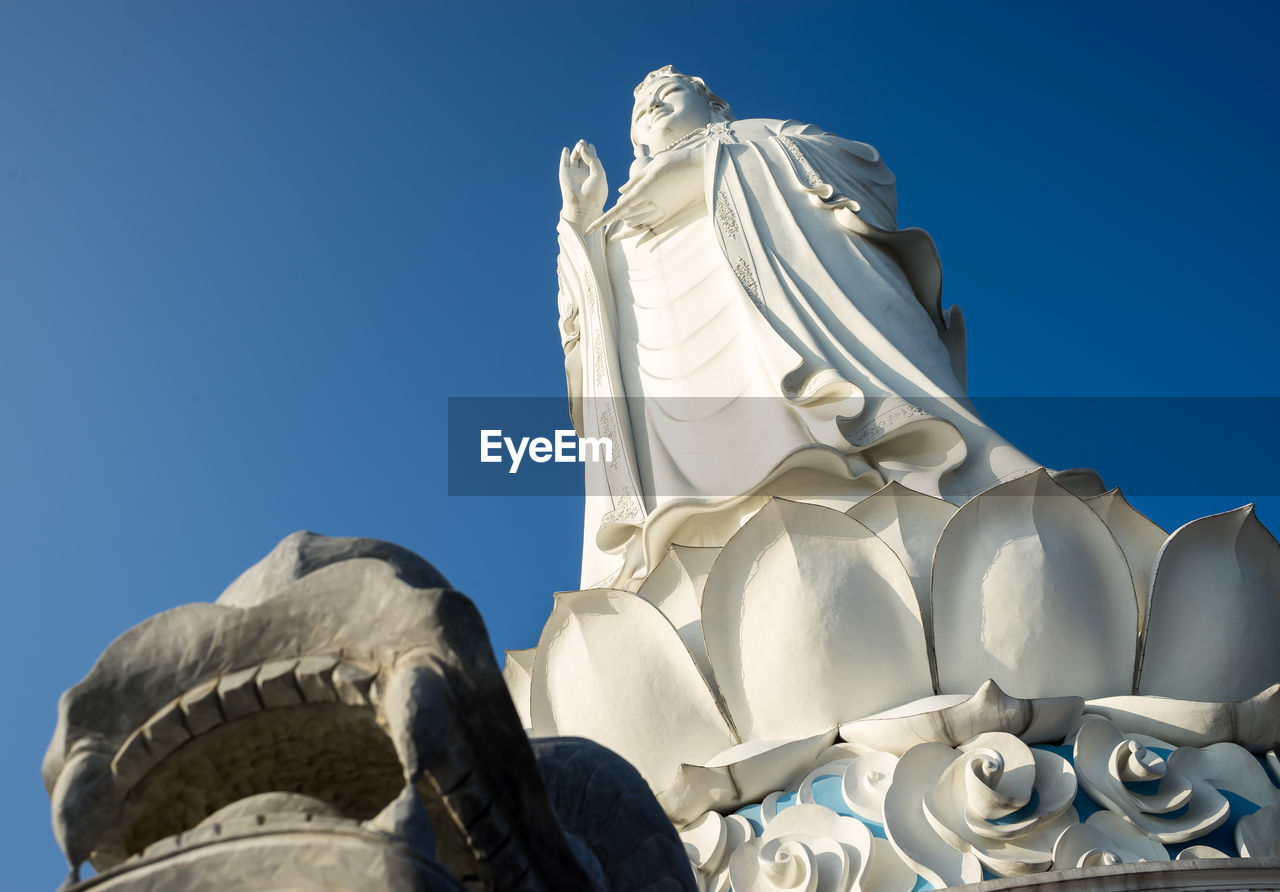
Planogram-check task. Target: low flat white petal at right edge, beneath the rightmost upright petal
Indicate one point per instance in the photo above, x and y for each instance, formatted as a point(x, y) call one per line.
point(1254, 724)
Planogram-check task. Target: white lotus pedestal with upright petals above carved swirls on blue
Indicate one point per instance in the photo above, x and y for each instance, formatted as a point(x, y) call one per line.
point(1030, 690)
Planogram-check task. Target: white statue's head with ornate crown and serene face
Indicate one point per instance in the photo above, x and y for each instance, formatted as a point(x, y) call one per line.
point(669, 107)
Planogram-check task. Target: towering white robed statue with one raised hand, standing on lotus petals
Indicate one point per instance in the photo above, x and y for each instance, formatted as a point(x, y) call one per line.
point(749, 322)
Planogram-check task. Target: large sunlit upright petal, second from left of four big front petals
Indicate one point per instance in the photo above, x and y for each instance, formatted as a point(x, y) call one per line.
point(811, 621)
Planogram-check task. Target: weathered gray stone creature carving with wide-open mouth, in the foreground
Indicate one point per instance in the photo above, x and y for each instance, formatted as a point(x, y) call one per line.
point(336, 720)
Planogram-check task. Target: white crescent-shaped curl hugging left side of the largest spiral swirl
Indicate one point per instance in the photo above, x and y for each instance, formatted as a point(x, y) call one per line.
point(912, 834)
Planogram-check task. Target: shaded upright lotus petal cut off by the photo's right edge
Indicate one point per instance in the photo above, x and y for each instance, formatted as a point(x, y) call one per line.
point(1215, 609)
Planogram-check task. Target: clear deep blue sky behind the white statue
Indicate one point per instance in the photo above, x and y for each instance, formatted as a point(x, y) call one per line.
point(248, 251)
